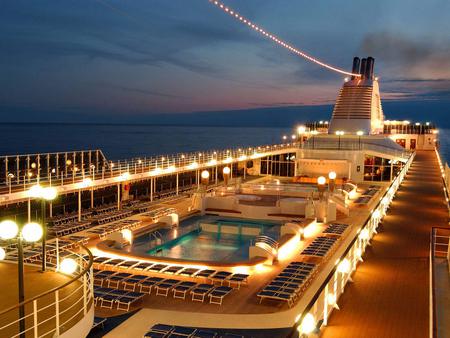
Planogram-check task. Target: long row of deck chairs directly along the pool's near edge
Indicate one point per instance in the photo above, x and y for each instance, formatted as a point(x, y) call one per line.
point(214, 276)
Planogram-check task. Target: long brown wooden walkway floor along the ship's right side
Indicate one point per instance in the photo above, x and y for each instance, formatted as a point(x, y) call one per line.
point(389, 296)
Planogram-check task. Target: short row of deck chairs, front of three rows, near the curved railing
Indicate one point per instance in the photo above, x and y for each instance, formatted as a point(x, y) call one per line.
point(110, 298)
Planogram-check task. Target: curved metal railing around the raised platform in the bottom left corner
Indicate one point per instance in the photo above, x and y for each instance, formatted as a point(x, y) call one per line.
point(57, 310)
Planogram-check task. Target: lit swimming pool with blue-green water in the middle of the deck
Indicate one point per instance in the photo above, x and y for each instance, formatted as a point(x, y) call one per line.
point(206, 238)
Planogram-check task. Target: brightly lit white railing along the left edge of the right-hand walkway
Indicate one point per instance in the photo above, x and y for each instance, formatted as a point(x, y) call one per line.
point(319, 306)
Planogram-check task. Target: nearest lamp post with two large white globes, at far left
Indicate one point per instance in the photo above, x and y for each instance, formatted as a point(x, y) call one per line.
point(30, 232)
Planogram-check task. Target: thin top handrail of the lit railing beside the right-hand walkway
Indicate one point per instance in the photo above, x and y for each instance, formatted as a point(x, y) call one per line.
point(381, 204)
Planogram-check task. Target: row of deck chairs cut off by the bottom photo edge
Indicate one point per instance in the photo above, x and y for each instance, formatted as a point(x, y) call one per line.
point(172, 331)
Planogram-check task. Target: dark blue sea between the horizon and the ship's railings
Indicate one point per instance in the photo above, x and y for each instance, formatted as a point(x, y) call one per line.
point(121, 141)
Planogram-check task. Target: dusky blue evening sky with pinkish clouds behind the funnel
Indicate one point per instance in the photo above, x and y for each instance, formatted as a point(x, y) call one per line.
point(111, 60)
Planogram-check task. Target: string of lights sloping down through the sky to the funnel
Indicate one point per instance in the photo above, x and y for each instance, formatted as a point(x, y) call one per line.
point(275, 39)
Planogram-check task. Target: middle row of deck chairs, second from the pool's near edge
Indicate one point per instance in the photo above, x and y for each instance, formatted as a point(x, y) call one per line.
point(164, 287)
